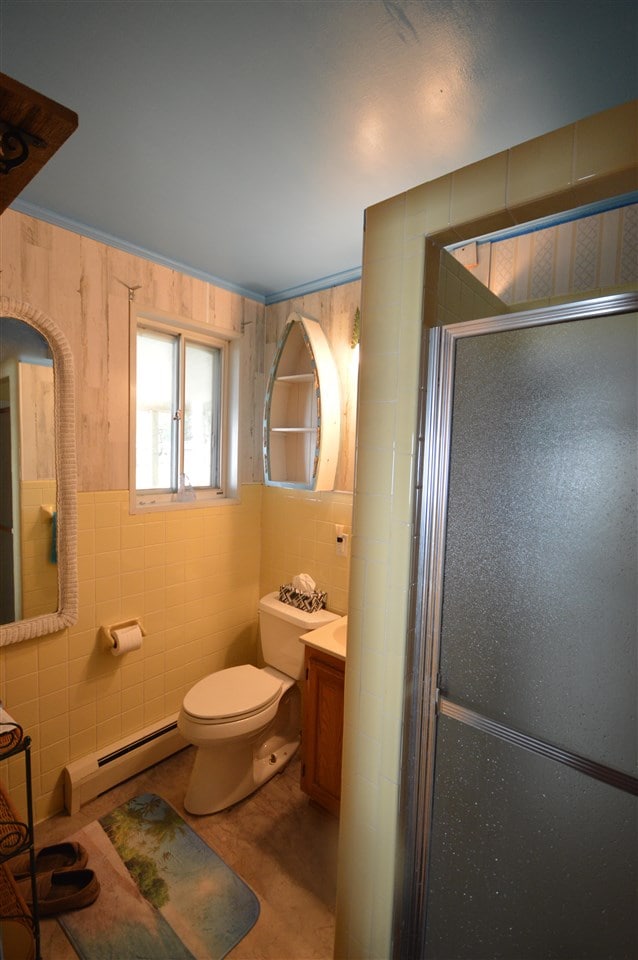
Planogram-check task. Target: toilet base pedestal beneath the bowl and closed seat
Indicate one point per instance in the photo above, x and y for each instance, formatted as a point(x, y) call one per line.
point(224, 774)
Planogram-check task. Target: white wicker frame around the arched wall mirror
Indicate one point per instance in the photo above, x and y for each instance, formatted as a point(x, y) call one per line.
point(66, 479)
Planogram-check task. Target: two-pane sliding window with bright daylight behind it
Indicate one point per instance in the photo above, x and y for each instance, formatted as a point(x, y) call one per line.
point(180, 450)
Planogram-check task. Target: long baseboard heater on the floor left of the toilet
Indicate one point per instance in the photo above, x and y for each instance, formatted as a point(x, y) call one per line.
point(90, 776)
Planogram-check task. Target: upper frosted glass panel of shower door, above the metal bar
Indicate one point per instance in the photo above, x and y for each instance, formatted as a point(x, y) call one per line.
point(539, 613)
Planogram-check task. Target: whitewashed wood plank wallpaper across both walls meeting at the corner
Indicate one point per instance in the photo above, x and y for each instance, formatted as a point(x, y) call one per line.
point(83, 285)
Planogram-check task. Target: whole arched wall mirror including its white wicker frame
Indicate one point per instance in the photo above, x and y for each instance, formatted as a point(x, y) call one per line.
point(38, 476)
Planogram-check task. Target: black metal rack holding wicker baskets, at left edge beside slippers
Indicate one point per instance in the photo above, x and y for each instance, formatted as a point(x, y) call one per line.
point(19, 926)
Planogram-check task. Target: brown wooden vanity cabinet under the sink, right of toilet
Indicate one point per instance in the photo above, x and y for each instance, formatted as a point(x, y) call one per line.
point(322, 735)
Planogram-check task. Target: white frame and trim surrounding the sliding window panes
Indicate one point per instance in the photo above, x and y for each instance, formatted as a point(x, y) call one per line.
point(229, 344)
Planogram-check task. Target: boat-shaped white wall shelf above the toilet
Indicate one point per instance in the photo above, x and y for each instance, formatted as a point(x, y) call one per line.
point(302, 414)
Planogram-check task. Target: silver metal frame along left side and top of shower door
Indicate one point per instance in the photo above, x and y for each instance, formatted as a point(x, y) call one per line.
point(422, 655)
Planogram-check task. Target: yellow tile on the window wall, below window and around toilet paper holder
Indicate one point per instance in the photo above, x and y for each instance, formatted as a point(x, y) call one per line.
point(191, 576)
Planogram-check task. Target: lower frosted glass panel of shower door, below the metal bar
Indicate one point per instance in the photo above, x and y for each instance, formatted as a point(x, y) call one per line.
point(530, 860)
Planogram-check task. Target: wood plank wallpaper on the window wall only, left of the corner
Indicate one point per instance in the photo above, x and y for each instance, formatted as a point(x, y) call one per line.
point(84, 287)
